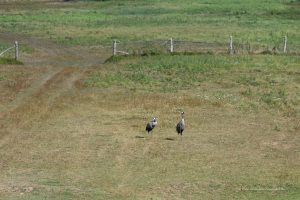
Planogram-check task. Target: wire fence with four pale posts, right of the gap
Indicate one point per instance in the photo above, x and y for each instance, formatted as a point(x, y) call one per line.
point(231, 46)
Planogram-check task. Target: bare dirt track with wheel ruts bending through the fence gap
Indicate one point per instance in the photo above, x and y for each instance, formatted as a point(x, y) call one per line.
point(65, 66)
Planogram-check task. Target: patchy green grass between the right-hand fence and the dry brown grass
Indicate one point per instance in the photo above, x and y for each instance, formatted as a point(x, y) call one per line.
point(246, 82)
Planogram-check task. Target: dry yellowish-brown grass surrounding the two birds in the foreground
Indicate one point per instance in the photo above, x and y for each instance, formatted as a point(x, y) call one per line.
point(87, 144)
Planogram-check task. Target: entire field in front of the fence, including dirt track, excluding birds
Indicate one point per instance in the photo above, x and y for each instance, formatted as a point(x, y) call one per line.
point(72, 126)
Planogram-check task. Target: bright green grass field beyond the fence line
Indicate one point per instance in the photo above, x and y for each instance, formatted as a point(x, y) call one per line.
point(99, 22)
